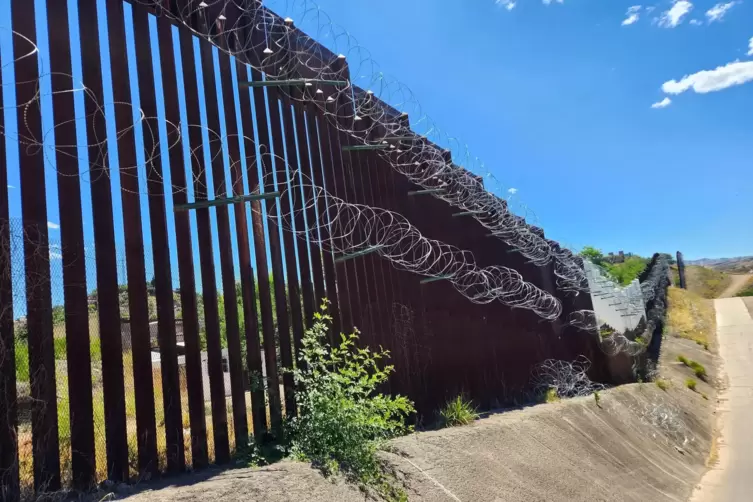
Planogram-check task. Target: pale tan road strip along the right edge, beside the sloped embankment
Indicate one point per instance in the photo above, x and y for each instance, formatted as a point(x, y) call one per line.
point(731, 480)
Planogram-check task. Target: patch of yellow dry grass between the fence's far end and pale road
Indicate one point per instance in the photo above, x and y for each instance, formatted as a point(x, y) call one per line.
point(690, 316)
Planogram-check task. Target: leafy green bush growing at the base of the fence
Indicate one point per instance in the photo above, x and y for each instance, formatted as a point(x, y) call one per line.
point(343, 420)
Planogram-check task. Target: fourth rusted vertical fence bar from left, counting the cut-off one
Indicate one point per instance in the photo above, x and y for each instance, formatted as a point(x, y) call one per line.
point(104, 240)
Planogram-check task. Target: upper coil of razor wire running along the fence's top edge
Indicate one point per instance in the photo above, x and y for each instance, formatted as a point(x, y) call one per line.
point(358, 106)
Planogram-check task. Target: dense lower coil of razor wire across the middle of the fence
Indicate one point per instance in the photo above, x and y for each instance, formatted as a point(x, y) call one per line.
point(347, 229)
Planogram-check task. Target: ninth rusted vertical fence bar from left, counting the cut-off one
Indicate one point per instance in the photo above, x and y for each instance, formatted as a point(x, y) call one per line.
point(226, 251)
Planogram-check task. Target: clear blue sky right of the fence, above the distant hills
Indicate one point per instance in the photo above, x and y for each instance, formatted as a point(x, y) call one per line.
point(556, 99)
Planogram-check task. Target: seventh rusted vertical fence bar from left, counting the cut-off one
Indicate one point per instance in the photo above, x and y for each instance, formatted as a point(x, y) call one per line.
point(189, 306)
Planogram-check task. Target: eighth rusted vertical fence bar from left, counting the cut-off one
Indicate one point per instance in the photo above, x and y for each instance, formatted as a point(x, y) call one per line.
point(208, 279)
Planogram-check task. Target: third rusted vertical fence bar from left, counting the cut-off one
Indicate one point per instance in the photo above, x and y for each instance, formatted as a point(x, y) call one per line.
point(73, 251)
